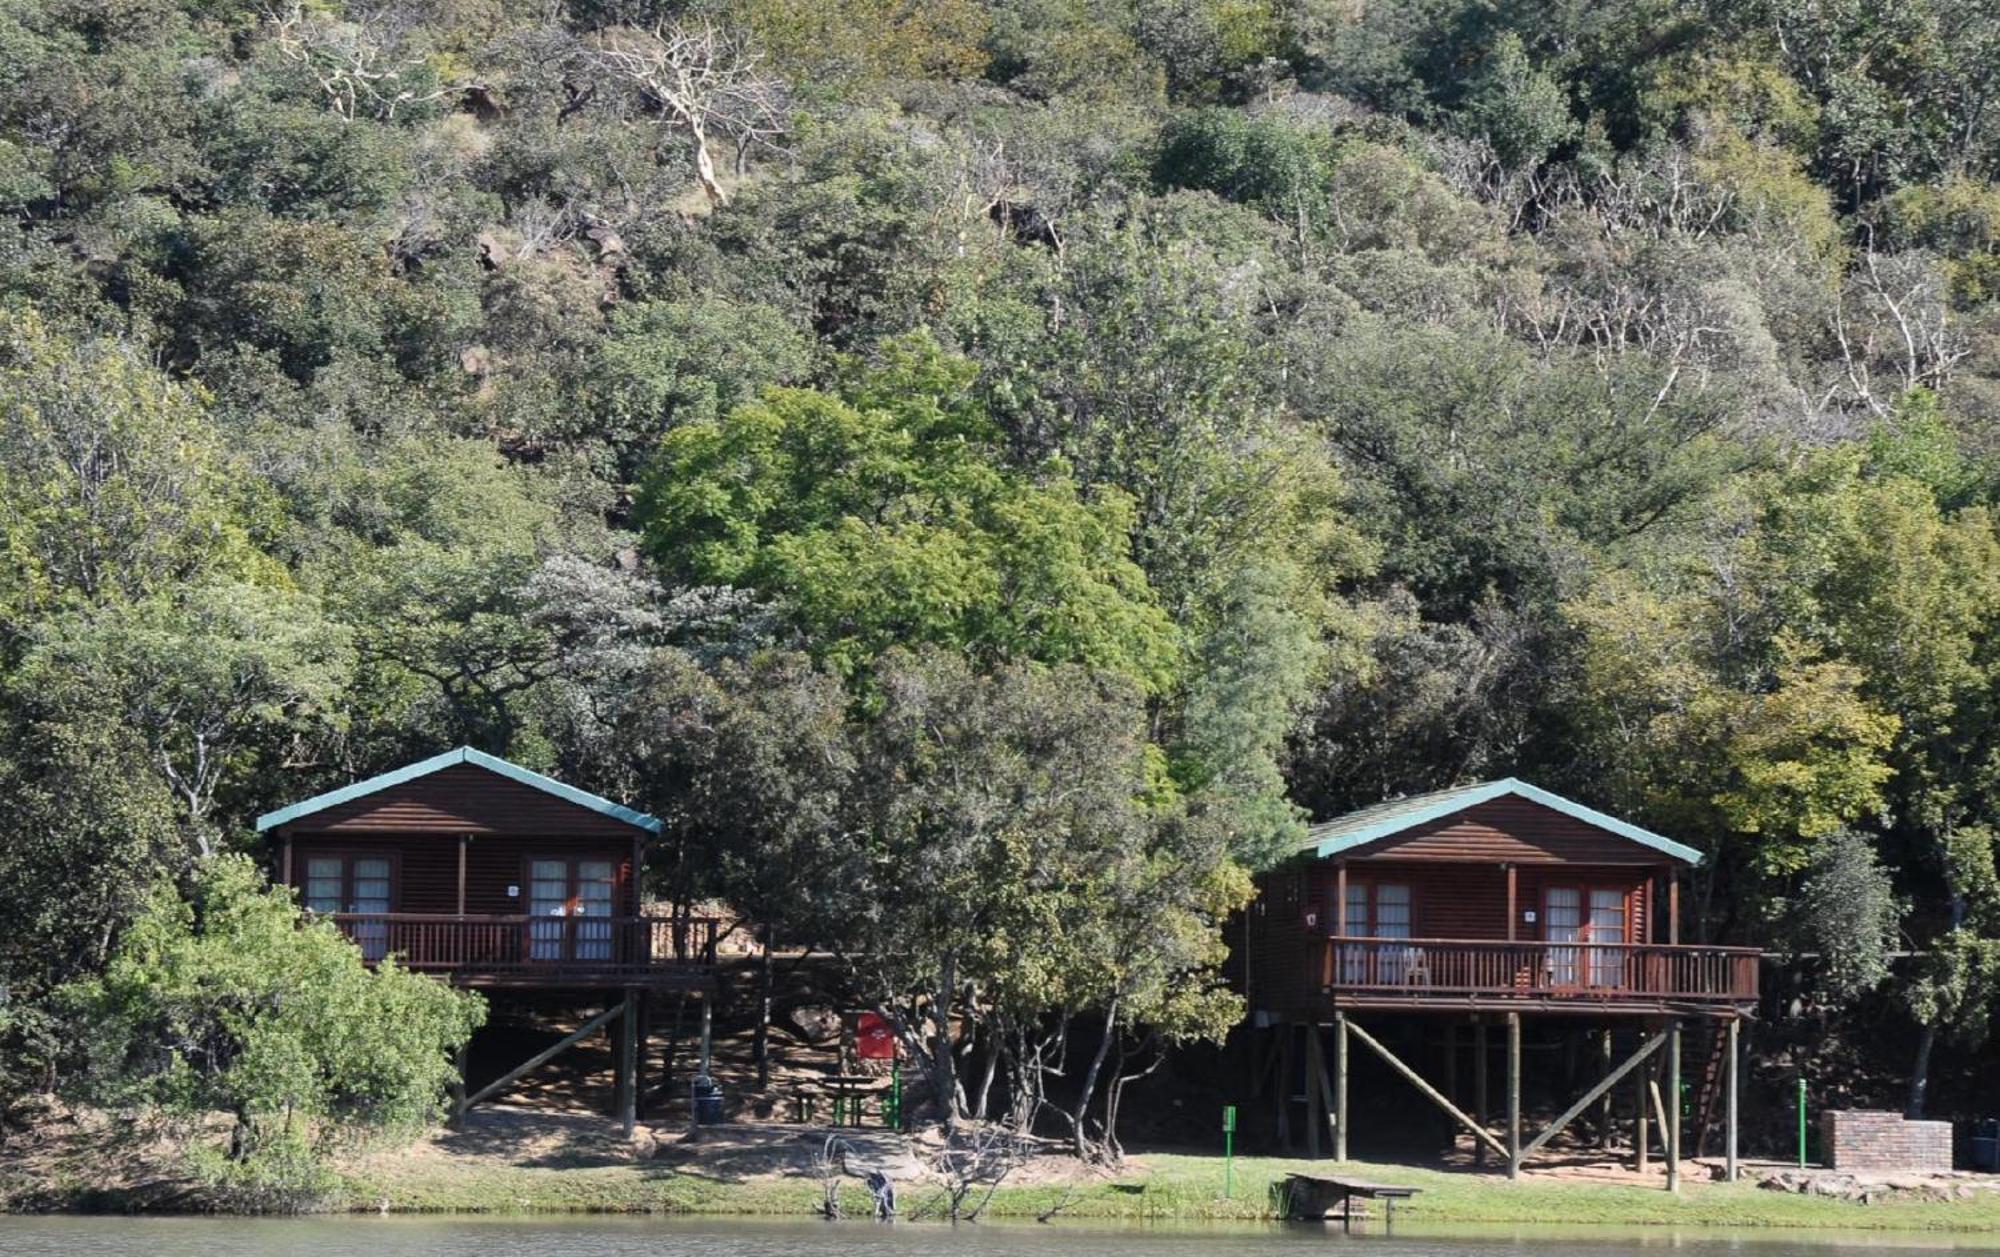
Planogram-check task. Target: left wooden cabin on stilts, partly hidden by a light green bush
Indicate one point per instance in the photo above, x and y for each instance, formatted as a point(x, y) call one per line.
point(503, 880)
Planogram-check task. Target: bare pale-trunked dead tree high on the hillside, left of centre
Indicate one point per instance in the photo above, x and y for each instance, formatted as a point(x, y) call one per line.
point(705, 79)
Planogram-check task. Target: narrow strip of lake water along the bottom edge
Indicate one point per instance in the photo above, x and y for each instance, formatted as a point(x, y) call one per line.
point(697, 1238)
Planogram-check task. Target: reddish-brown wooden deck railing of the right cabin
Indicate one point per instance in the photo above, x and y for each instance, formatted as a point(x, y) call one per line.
point(1585, 972)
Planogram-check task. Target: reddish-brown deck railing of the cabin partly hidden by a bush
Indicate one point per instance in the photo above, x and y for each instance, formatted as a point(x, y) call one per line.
point(557, 950)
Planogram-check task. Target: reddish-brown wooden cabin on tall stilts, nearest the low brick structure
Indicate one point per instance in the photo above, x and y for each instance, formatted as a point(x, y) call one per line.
point(1443, 936)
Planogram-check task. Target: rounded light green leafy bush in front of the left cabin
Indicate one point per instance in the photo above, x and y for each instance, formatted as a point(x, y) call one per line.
point(231, 1002)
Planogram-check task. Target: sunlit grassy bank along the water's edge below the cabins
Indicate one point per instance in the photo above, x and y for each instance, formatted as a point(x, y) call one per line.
point(565, 1164)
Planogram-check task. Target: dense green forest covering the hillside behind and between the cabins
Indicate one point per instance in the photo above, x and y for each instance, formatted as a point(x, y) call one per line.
point(989, 471)
